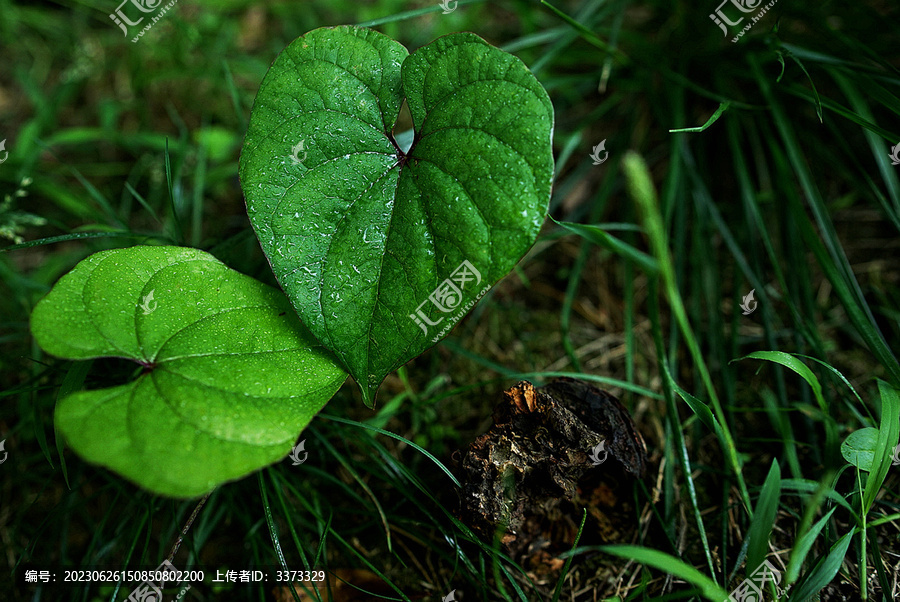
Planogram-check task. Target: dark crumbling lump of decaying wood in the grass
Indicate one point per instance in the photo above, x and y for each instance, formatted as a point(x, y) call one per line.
point(552, 452)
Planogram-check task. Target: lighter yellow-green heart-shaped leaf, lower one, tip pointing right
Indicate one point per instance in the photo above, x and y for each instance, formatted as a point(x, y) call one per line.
point(230, 375)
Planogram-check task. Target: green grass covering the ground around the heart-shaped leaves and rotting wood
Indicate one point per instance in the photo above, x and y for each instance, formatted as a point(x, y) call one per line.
point(775, 178)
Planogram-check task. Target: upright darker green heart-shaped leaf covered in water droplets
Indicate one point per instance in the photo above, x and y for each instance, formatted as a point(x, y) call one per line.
point(381, 252)
